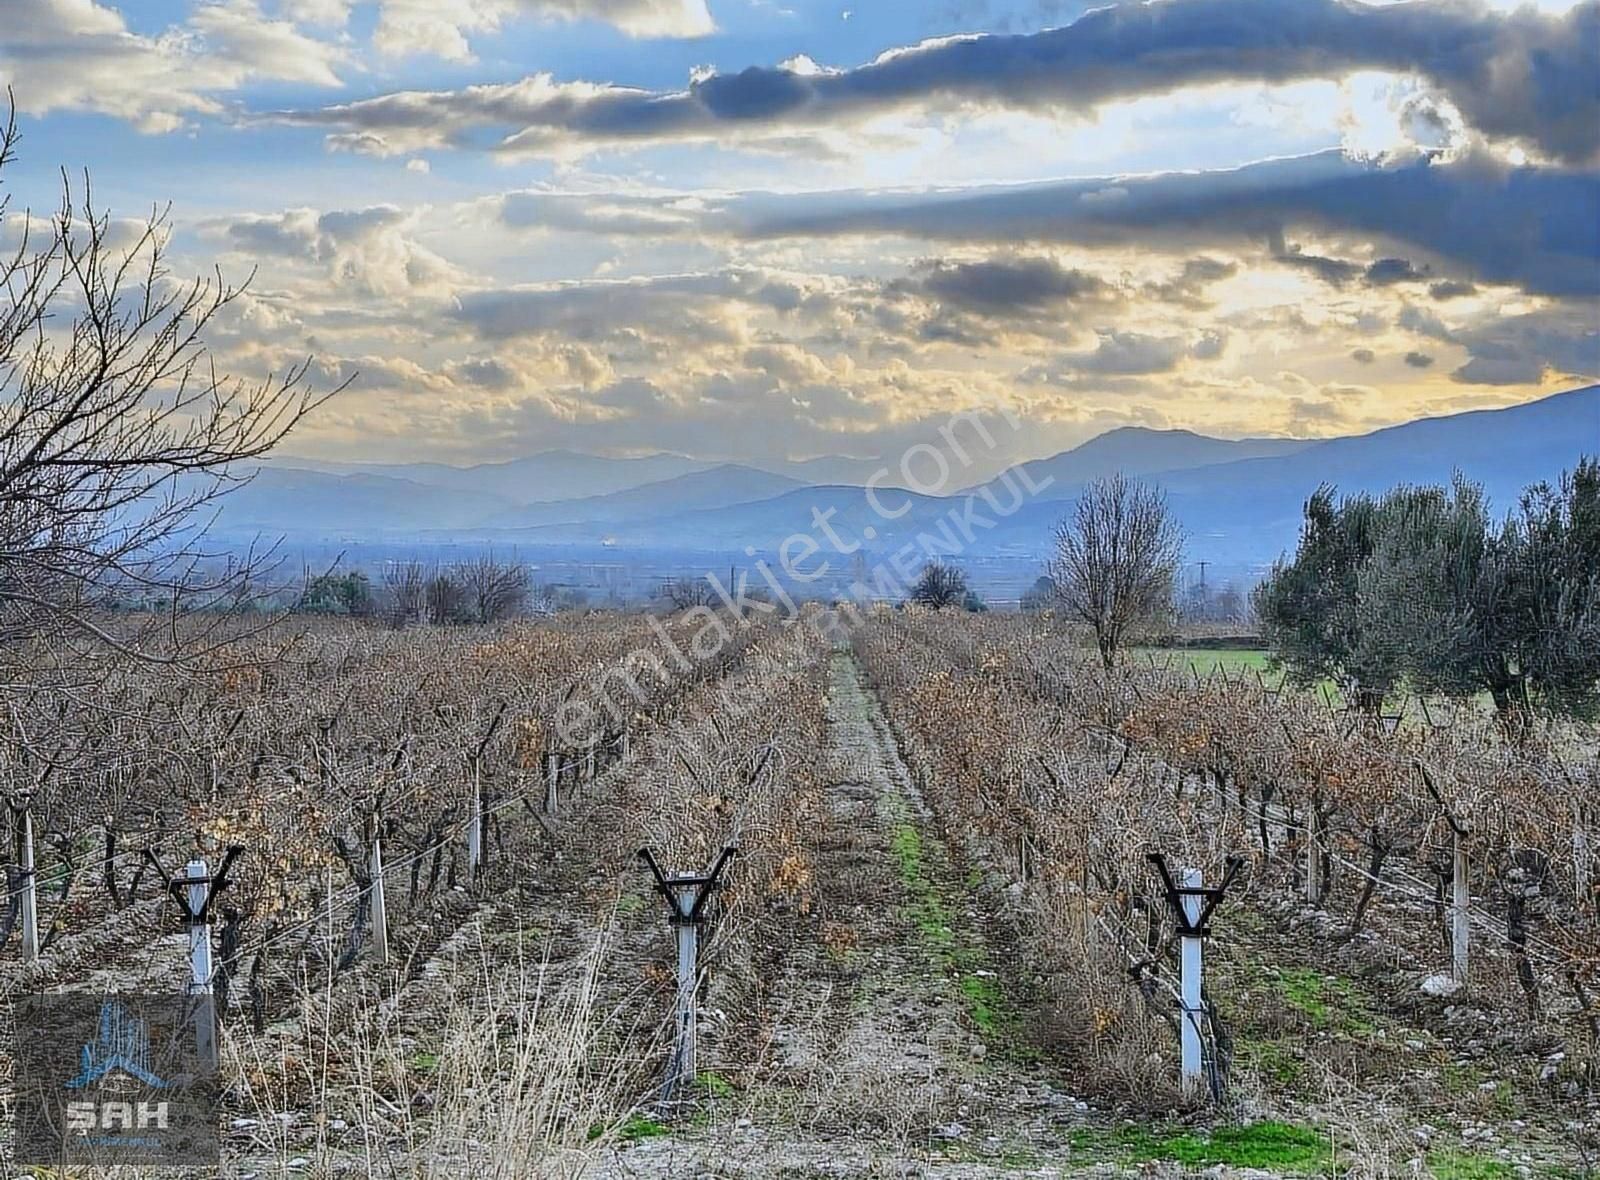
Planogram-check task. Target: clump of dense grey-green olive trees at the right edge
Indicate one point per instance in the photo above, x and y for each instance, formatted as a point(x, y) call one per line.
point(1422, 586)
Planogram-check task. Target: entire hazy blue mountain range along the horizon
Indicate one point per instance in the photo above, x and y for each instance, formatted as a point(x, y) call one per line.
point(1239, 500)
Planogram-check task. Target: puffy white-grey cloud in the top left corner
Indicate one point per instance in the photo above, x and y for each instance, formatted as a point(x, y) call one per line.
point(79, 55)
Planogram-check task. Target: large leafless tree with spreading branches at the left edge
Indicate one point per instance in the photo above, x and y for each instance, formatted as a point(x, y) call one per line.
point(118, 437)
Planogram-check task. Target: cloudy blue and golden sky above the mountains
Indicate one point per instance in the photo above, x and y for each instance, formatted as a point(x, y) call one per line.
point(746, 229)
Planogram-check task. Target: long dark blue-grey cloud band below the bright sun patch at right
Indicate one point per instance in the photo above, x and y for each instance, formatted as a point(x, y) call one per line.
point(1537, 228)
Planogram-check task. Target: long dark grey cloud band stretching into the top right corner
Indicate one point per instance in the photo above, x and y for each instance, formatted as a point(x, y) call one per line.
point(1522, 78)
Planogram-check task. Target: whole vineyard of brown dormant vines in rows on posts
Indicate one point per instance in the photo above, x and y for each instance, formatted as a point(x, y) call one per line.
point(948, 939)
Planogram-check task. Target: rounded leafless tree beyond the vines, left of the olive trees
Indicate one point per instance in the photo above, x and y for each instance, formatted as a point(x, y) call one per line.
point(1116, 560)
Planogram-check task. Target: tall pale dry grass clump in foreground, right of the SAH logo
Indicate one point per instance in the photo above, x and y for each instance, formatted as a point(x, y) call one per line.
point(516, 1070)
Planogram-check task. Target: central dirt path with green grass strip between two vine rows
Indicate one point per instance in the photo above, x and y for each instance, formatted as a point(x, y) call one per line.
point(887, 1048)
